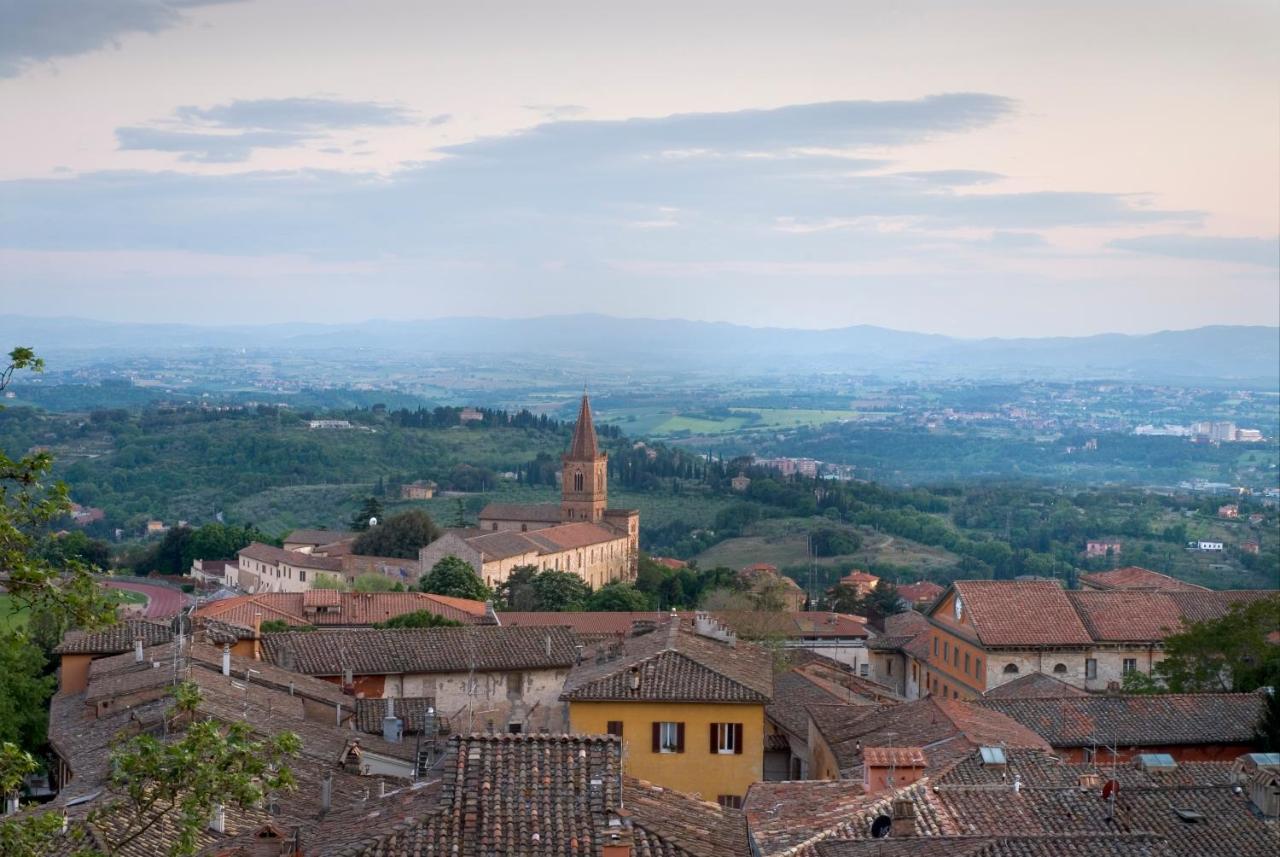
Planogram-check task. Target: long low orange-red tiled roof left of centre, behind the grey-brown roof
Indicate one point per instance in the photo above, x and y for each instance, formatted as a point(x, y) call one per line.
point(354, 608)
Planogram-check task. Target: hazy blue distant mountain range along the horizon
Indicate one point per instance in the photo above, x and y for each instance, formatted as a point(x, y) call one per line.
point(1245, 355)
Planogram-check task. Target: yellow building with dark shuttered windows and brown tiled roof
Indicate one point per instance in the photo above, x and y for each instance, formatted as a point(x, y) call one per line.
point(688, 704)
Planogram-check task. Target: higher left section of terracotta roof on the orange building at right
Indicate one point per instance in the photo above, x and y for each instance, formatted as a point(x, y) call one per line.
point(1022, 613)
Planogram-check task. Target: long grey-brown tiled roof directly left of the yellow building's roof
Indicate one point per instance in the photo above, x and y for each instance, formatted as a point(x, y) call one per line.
point(377, 652)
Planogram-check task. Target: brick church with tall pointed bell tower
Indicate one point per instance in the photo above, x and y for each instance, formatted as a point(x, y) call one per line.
point(582, 534)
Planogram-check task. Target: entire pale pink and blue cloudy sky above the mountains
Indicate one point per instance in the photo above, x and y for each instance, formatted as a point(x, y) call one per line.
point(979, 169)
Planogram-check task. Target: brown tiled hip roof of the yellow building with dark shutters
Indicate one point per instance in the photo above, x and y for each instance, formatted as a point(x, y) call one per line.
point(674, 664)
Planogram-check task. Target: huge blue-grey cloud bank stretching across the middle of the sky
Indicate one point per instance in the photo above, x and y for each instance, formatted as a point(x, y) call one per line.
point(584, 193)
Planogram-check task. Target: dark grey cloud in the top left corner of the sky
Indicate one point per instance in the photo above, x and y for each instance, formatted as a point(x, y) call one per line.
point(36, 31)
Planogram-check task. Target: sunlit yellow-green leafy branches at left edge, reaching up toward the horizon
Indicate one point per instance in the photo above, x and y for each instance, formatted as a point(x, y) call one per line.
point(29, 505)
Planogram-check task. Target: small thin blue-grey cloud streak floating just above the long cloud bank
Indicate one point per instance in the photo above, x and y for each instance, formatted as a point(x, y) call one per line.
point(298, 114)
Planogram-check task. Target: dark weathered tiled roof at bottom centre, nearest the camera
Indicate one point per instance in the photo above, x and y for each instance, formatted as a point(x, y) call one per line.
point(554, 795)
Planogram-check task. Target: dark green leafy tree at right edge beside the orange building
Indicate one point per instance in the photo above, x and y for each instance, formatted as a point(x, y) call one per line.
point(1232, 653)
